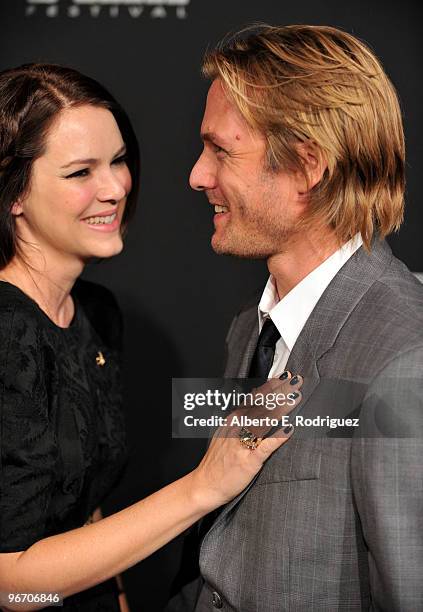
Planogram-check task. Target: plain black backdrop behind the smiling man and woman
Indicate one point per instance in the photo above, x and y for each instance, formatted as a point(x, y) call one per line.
point(176, 295)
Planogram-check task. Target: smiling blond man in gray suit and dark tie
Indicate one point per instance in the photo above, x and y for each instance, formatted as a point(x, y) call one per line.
point(303, 161)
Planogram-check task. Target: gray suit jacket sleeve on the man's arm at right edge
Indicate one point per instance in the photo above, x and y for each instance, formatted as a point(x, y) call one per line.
point(387, 477)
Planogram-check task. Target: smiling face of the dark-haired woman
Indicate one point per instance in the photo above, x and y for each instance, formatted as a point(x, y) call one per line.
point(78, 189)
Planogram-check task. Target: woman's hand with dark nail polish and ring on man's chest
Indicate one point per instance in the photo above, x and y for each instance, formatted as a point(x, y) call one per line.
point(229, 466)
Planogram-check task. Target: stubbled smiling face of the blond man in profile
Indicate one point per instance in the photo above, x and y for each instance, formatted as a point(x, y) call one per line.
point(256, 210)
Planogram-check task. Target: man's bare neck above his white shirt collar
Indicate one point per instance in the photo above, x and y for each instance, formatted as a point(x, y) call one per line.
point(305, 252)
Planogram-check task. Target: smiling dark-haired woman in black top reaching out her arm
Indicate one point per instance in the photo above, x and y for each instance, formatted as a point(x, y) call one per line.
point(68, 178)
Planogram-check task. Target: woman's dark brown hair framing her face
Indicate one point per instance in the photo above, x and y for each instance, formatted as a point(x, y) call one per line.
point(31, 97)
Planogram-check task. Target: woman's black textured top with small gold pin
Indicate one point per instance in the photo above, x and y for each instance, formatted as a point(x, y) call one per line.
point(62, 436)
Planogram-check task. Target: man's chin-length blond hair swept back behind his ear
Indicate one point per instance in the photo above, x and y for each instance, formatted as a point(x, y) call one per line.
point(320, 85)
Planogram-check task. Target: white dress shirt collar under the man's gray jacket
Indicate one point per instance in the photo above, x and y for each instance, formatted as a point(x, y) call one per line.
point(291, 313)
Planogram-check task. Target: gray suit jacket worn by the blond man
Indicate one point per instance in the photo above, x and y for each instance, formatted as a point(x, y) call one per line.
point(334, 521)
